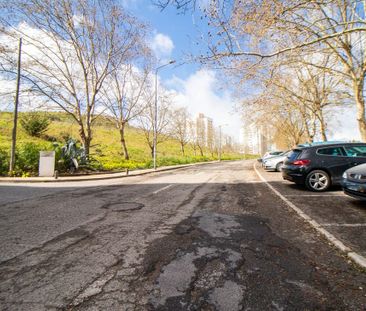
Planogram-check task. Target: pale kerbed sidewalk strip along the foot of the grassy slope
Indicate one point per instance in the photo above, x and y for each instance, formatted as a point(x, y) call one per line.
point(97, 176)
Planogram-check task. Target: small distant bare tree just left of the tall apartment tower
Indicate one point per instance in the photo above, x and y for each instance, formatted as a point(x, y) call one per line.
point(180, 126)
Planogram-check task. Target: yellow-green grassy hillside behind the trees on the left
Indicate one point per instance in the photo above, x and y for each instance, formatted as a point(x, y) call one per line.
point(106, 148)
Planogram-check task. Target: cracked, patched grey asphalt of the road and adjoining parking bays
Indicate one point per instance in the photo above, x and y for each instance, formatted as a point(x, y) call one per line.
point(210, 237)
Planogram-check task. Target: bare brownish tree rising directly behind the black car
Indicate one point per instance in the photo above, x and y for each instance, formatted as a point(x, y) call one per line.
point(311, 90)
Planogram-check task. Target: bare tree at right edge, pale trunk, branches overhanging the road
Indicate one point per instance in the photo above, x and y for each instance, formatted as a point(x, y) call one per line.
point(245, 34)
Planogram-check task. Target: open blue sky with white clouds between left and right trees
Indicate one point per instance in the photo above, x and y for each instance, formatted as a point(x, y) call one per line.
point(177, 36)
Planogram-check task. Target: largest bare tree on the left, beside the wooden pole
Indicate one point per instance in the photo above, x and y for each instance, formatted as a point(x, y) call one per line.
point(68, 50)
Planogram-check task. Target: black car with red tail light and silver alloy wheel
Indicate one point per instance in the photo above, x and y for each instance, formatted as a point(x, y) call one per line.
point(320, 166)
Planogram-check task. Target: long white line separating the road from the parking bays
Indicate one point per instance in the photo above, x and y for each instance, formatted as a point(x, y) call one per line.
point(357, 258)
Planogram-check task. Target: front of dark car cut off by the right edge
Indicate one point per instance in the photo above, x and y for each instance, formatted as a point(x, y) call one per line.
point(354, 182)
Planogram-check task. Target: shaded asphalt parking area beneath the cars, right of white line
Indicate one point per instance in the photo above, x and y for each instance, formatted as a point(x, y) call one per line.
point(339, 214)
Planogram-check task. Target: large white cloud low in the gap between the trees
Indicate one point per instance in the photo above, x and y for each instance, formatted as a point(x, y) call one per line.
point(201, 94)
